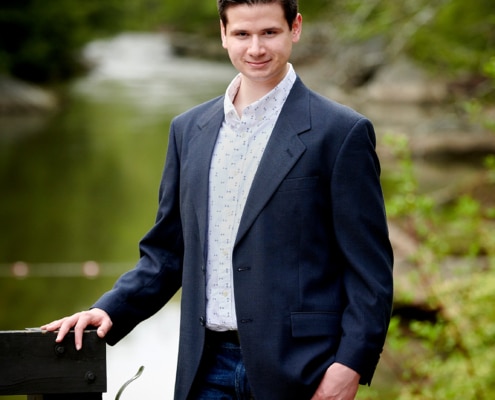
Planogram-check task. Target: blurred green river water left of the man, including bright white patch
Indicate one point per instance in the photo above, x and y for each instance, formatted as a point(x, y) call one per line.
point(79, 189)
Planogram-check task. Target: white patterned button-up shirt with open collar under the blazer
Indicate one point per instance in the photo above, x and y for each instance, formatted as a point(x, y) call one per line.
point(237, 154)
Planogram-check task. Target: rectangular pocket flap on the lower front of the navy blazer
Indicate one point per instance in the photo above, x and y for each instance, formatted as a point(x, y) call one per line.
point(315, 324)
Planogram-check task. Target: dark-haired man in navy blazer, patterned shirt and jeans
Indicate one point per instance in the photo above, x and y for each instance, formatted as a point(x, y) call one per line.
point(271, 220)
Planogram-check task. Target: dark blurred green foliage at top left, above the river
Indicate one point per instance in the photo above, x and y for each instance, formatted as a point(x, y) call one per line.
point(40, 40)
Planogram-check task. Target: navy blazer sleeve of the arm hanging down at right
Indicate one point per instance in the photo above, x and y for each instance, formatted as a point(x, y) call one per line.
point(362, 235)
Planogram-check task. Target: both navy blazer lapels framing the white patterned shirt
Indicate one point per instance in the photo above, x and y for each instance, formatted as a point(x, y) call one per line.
point(283, 150)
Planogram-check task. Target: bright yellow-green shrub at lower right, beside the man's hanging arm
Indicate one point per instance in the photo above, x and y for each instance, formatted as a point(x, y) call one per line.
point(453, 357)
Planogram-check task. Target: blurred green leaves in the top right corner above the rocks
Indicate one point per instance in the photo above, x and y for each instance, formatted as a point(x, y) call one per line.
point(453, 36)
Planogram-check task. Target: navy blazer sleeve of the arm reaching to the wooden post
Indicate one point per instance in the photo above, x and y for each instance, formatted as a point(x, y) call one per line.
point(142, 291)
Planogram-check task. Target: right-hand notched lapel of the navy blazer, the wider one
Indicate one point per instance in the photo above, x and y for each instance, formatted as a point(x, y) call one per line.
point(283, 150)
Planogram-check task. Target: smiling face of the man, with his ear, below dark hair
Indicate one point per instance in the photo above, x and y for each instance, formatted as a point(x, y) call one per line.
point(259, 41)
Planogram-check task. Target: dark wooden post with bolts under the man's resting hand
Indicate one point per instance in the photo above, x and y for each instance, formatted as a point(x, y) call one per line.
point(32, 363)
